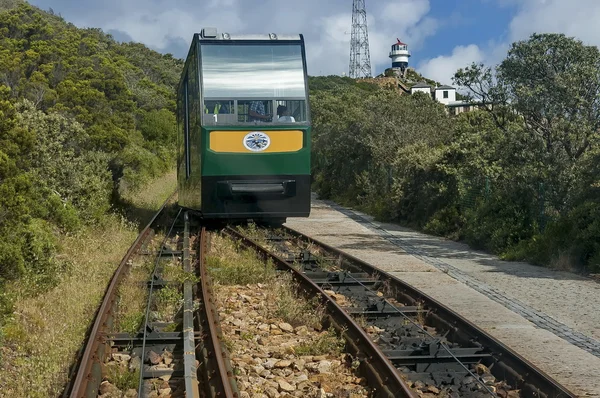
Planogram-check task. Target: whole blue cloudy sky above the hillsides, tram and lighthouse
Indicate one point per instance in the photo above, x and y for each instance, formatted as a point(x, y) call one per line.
point(443, 35)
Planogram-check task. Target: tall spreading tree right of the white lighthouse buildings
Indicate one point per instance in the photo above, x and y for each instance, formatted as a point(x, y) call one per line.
point(551, 84)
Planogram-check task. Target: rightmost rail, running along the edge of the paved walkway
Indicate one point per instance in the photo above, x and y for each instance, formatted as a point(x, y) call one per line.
point(525, 375)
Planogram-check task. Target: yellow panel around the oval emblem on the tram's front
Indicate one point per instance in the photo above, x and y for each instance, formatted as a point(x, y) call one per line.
point(233, 141)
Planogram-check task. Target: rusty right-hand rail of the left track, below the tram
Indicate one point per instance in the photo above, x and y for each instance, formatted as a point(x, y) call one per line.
point(215, 368)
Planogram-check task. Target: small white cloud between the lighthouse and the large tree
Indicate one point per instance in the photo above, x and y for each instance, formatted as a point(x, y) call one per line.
point(442, 68)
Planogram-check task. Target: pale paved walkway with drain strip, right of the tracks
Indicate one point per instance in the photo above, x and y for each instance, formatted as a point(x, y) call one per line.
point(551, 318)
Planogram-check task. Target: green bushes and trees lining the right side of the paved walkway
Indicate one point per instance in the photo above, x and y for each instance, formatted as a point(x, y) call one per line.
point(520, 177)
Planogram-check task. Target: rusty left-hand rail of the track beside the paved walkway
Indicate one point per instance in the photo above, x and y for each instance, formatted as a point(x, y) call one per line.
point(378, 368)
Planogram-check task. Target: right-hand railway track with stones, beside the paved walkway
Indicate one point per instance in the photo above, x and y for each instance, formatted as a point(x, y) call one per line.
point(409, 344)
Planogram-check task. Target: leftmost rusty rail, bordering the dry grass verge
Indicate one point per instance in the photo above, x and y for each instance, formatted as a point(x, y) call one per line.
point(88, 374)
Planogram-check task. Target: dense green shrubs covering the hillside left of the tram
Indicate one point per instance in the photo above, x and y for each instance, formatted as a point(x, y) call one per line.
point(81, 117)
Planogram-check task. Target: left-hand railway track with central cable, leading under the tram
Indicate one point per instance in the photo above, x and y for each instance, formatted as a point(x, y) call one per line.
point(171, 354)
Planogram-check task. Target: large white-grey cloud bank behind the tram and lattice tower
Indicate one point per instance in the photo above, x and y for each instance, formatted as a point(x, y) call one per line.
point(326, 24)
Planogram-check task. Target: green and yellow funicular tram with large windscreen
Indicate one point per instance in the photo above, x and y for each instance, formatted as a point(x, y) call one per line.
point(244, 127)
